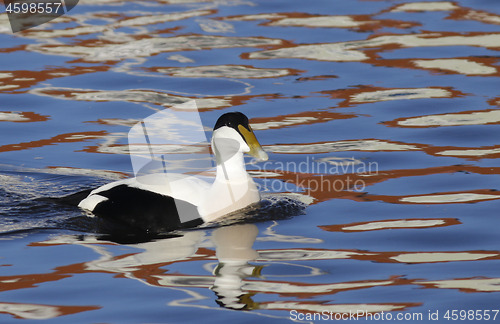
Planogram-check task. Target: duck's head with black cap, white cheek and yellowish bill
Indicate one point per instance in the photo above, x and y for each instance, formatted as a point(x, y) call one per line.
point(232, 133)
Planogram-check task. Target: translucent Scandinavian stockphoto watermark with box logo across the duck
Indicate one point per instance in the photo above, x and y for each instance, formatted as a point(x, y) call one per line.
point(161, 149)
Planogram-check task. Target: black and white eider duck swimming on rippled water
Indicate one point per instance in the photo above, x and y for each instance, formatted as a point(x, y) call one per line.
point(163, 202)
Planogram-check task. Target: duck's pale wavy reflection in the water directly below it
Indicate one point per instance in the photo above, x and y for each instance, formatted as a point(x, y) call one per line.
point(233, 249)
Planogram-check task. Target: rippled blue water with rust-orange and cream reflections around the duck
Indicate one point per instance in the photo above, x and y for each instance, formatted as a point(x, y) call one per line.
point(382, 116)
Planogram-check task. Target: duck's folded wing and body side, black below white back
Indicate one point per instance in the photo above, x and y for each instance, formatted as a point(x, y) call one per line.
point(151, 203)
